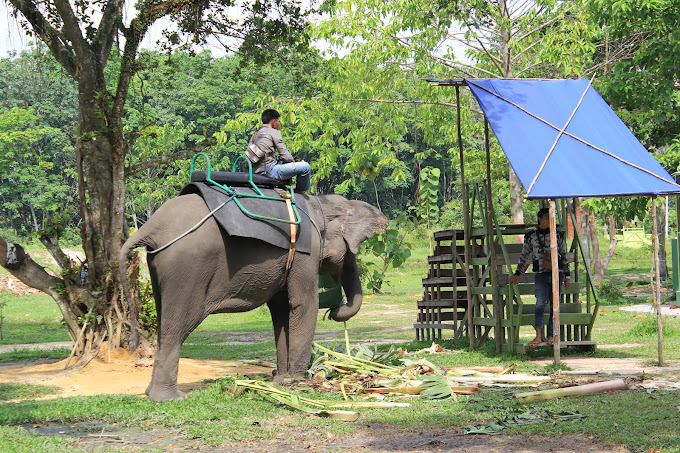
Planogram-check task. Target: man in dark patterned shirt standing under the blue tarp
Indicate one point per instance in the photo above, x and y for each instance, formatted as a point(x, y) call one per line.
point(536, 249)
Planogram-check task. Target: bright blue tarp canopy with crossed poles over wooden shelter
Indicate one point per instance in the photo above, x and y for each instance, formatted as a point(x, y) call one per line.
point(563, 140)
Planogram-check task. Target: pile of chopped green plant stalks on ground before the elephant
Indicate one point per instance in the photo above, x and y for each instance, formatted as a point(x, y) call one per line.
point(367, 378)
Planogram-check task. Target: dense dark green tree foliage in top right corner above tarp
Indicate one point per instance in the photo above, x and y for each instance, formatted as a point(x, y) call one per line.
point(643, 87)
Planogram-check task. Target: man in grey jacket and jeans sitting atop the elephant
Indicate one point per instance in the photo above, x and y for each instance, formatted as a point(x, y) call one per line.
point(269, 140)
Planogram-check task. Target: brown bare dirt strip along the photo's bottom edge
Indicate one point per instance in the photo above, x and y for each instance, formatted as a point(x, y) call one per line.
point(369, 438)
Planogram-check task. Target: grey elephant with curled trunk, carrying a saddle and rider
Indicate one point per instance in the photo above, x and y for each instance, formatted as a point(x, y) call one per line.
point(208, 271)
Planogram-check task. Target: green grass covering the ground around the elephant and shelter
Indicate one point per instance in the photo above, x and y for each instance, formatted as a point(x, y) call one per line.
point(213, 416)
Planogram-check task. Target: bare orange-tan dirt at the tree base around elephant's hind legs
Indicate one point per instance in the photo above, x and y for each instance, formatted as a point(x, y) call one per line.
point(120, 373)
